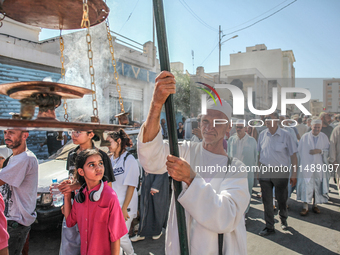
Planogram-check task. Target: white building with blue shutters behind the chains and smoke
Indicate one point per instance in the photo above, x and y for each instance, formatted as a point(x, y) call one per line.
point(24, 58)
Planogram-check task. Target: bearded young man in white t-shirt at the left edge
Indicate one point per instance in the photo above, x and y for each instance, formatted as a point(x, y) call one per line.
point(19, 182)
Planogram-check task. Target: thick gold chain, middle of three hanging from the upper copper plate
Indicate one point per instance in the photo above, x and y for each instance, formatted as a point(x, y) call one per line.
point(86, 24)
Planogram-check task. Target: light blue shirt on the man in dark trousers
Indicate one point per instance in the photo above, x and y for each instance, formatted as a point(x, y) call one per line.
point(276, 149)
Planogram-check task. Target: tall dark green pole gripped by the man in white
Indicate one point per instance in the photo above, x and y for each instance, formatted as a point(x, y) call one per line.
point(171, 120)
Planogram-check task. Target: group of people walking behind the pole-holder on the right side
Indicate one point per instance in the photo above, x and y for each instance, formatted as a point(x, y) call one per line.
point(307, 146)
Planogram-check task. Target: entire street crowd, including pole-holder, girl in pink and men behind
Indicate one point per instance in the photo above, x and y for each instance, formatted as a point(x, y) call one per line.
point(218, 169)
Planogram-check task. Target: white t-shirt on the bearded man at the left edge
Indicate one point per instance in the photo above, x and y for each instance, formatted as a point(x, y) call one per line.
point(20, 188)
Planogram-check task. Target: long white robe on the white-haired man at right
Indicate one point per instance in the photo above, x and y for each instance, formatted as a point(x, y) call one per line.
point(309, 181)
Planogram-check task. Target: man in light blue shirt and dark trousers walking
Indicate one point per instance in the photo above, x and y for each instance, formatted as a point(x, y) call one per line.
point(275, 147)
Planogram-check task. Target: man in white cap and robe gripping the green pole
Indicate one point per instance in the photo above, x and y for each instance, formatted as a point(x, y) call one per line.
point(214, 200)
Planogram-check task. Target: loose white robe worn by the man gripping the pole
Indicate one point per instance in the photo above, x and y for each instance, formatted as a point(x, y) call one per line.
point(211, 207)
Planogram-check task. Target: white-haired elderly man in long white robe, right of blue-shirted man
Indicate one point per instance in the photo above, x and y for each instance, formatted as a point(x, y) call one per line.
point(313, 180)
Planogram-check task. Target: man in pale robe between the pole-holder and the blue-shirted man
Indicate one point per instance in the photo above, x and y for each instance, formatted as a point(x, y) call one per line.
point(243, 147)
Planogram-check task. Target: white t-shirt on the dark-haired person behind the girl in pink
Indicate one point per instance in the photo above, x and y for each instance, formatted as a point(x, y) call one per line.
point(126, 175)
